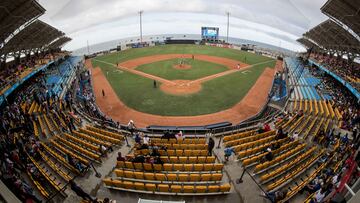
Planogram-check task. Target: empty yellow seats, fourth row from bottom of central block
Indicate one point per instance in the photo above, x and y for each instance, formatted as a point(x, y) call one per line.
point(188, 159)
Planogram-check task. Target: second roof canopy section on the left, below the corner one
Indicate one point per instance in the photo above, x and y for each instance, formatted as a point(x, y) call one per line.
point(36, 35)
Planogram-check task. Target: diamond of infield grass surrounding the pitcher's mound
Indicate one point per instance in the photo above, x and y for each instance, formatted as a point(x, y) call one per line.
point(165, 69)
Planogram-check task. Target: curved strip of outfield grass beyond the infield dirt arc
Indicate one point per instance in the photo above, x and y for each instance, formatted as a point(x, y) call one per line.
point(243, 56)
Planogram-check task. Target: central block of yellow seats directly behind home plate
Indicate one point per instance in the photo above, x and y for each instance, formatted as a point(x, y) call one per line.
point(187, 170)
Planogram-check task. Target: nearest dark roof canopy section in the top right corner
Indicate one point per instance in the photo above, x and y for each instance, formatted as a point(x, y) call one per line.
point(346, 11)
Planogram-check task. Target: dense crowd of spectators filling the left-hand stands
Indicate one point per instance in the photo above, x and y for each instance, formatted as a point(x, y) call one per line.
point(17, 139)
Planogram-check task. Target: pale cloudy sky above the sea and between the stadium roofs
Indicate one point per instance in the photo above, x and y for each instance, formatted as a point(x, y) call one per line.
point(276, 22)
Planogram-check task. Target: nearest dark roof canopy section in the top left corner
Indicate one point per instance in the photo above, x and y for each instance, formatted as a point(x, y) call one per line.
point(14, 13)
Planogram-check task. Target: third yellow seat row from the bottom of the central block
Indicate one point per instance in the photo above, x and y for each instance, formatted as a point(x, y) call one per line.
point(170, 167)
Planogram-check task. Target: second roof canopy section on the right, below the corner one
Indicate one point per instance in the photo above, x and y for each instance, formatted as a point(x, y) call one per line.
point(331, 36)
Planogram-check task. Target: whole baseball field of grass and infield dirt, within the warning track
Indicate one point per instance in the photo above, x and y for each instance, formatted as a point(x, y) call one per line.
point(191, 80)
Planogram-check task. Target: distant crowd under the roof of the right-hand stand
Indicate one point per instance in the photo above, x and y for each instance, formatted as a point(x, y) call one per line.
point(349, 71)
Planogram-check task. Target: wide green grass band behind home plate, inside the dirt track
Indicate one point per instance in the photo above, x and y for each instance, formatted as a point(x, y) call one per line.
point(218, 94)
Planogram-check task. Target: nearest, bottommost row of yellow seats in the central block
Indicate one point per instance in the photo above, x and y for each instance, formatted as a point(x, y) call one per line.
point(166, 188)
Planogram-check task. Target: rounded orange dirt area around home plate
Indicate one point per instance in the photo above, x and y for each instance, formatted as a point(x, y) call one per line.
point(181, 87)
